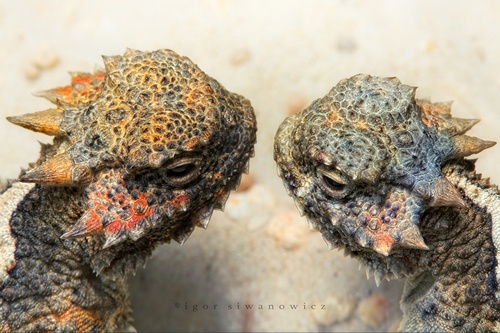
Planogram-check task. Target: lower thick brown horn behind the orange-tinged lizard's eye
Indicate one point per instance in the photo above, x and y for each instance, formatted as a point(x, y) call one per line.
point(58, 171)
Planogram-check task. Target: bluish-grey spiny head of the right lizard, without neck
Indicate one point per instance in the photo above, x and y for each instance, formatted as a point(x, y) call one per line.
point(364, 162)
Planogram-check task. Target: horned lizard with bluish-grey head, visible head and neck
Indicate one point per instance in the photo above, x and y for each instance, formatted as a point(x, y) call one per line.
point(383, 176)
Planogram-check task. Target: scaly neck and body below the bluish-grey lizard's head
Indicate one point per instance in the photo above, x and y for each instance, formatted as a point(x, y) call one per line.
point(457, 284)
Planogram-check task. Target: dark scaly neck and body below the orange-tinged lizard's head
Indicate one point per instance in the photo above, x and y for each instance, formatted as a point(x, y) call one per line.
point(58, 271)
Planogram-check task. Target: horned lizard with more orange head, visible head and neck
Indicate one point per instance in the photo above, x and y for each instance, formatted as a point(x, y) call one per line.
point(143, 153)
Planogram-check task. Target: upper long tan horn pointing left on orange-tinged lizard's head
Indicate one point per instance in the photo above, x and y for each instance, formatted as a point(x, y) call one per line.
point(47, 121)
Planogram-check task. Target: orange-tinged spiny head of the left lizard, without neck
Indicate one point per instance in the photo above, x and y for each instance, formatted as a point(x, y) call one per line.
point(154, 143)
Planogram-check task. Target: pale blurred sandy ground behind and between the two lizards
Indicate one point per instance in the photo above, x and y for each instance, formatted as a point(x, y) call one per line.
point(258, 267)
